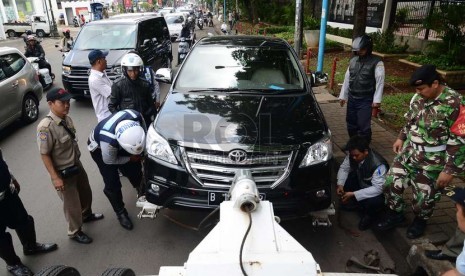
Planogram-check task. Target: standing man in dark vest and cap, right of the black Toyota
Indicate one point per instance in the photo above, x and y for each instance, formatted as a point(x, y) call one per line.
point(362, 88)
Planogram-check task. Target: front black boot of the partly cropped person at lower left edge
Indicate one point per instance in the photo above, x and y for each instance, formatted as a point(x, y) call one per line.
point(27, 236)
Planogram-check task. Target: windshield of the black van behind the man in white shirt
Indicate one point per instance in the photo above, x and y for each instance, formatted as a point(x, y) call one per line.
point(106, 36)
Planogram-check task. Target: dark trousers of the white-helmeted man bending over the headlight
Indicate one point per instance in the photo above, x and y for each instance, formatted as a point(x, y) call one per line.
point(112, 189)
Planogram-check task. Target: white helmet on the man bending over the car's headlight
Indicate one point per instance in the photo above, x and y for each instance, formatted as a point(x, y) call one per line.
point(130, 136)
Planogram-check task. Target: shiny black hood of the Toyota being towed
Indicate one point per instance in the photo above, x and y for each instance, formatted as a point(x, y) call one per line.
point(240, 119)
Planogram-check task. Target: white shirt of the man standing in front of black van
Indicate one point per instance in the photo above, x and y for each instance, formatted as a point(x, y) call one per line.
point(100, 90)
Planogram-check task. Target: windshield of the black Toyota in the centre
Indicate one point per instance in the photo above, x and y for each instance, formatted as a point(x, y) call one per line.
point(236, 68)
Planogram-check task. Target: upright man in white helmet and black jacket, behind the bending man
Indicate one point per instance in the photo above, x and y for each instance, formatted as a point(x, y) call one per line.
point(131, 91)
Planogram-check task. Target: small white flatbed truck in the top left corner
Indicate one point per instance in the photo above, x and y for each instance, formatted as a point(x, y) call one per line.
point(38, 25)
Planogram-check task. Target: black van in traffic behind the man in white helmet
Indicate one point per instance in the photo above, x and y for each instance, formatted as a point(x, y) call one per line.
point(147, 34)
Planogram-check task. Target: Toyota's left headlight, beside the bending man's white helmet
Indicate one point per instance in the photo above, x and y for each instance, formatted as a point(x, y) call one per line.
point(158, 148)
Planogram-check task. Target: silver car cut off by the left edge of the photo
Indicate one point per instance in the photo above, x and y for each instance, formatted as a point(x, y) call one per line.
point(20, 88)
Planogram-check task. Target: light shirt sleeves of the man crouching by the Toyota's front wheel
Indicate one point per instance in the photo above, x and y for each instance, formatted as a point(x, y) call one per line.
point(377, 180)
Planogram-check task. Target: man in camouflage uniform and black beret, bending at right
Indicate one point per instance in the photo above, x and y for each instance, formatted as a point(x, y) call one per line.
point(429, 155)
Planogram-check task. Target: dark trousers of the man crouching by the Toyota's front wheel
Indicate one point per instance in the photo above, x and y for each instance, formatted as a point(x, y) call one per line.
point(371, 206)
